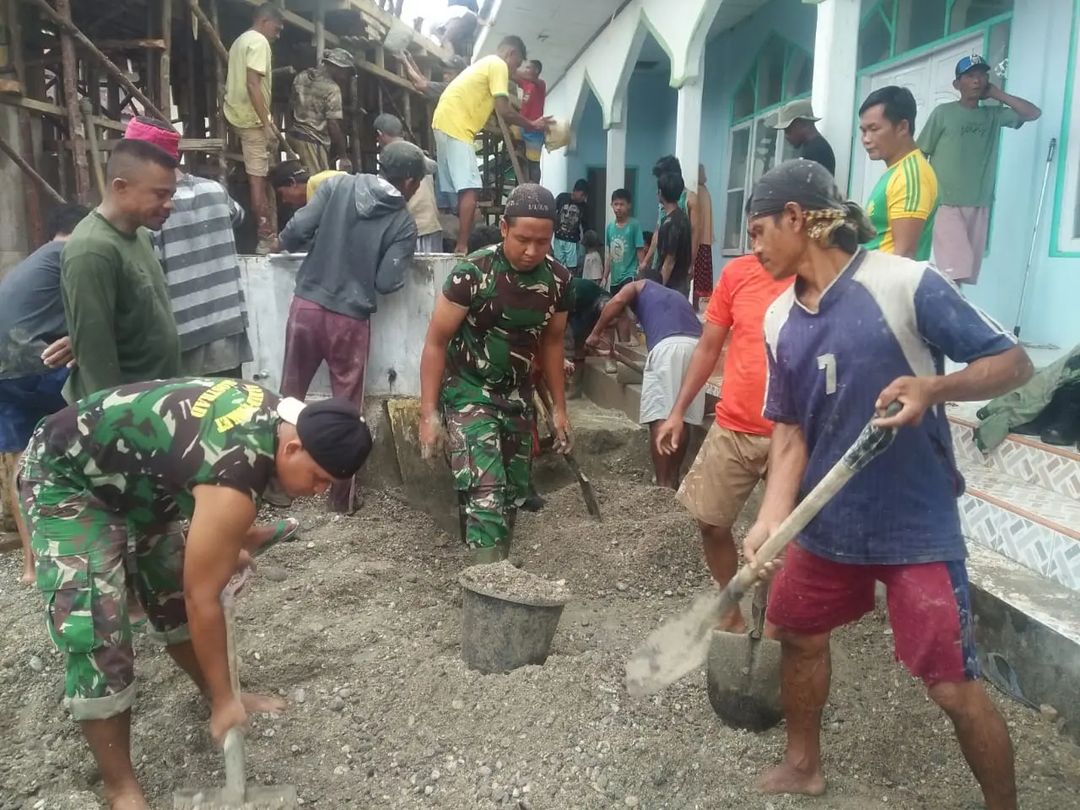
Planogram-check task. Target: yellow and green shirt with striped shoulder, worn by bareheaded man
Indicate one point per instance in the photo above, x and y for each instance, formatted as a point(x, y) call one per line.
point(908, 191)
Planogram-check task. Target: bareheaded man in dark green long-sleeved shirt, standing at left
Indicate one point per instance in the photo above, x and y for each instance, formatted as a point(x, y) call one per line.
point(116, 301)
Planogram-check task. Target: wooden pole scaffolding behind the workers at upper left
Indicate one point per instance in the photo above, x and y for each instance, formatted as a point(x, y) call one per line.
point(77, 71)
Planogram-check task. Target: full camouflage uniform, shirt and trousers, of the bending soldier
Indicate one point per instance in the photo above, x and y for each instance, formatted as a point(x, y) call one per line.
point(103, 487)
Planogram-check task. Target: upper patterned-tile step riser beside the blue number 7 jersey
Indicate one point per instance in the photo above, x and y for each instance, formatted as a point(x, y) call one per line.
point(1027, 460)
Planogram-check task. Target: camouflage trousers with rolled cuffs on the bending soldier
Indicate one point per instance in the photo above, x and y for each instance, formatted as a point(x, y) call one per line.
point(90, 559)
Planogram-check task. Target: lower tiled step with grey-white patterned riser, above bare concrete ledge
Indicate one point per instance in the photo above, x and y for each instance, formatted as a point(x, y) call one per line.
point(1031, 525)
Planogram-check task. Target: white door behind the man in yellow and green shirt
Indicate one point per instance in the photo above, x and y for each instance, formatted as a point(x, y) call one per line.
point(930, 79)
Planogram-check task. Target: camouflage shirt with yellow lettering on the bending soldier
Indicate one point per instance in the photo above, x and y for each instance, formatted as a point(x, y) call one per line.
point(142, 449)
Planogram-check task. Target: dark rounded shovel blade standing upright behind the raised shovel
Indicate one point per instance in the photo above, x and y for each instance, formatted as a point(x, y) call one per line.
point(744, 681)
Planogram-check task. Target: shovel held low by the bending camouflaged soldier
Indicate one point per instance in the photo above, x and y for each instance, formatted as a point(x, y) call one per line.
point(237, 794)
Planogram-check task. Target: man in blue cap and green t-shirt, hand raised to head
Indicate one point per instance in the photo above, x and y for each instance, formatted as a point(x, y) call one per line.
point(962, 141)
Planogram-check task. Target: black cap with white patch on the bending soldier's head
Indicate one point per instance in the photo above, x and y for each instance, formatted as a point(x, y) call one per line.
point(332, 431)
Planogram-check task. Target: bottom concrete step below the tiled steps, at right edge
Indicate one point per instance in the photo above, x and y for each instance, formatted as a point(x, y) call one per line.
point(1035, 625)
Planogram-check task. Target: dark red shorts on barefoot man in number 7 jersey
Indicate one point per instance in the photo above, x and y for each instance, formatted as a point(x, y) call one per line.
point(929, 609)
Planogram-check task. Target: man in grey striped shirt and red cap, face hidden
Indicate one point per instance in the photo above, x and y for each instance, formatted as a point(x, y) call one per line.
point(198, 252)
